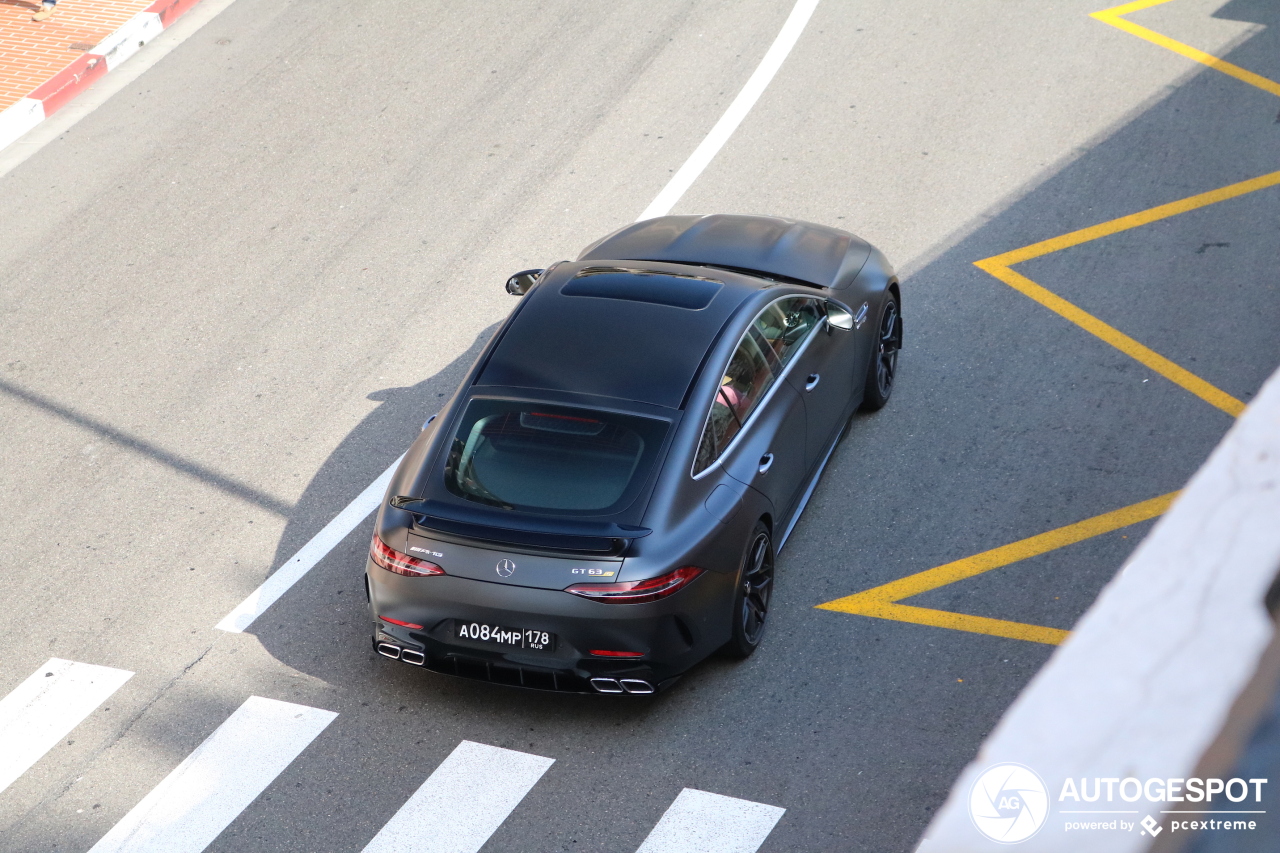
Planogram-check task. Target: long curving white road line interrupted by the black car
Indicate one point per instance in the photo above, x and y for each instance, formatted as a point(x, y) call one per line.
point(337, 531)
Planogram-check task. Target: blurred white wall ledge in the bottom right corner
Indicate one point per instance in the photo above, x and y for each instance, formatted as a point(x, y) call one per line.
point(1155, 673)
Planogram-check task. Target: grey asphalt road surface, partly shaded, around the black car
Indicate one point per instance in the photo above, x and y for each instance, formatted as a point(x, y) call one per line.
point(231, 297)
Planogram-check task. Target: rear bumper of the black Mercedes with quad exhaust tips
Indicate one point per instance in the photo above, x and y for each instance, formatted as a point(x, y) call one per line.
point(673, 635)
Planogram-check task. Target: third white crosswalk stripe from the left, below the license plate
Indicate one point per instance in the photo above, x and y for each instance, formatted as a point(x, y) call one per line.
point(463, 804)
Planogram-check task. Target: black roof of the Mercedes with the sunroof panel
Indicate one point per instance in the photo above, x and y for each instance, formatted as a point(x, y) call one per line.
point(623, 330)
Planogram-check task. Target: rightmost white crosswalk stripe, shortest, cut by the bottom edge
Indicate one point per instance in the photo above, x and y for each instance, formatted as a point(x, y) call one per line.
point(702, 823)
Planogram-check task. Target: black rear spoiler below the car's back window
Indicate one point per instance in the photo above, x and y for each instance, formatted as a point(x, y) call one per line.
point(552, 535)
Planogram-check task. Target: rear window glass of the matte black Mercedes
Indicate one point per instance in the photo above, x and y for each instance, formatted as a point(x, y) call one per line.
point(554, 459)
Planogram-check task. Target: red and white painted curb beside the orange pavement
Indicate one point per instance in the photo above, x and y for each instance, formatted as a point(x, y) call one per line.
point(107, 56)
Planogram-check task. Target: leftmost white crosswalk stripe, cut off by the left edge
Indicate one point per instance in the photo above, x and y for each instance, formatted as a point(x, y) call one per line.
point(44, 710)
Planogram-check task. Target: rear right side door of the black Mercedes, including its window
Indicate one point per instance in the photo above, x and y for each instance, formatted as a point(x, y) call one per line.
point(757, 427)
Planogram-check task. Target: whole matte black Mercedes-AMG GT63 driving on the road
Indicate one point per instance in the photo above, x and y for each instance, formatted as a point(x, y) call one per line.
point(598, 507)
